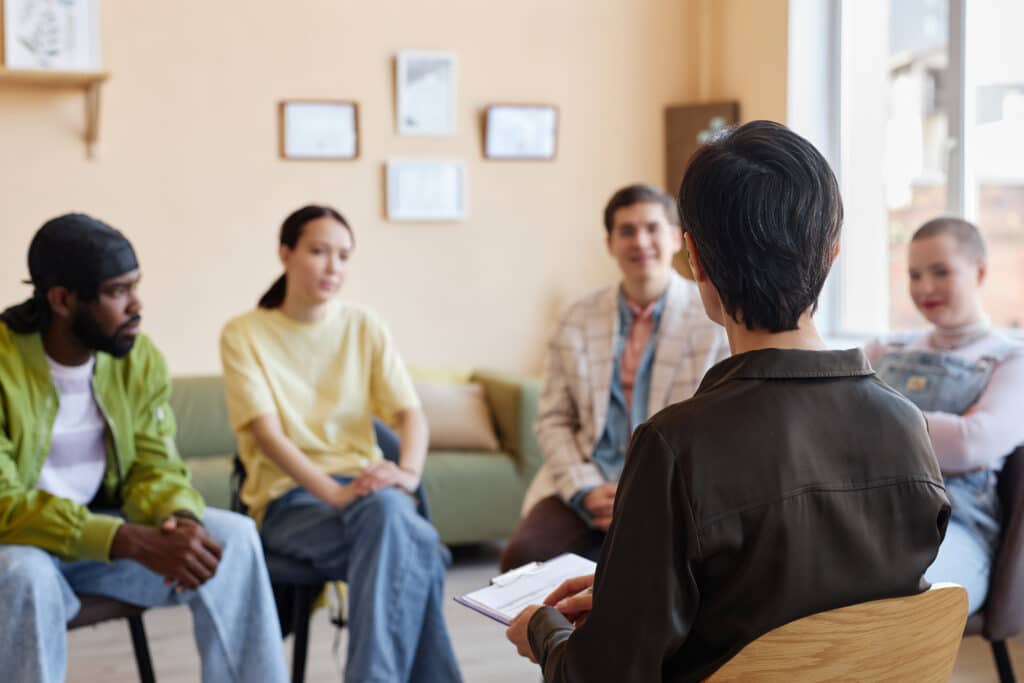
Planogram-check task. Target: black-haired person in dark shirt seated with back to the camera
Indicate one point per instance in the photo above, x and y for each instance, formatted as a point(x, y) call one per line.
point(794, 481)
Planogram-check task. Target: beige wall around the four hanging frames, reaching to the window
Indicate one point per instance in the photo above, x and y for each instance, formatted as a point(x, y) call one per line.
point(187, 164)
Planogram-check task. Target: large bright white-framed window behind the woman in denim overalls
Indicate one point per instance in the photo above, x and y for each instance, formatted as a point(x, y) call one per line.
point(930, 113)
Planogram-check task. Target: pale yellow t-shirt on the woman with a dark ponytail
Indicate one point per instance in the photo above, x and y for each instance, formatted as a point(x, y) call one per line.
point(326, 381)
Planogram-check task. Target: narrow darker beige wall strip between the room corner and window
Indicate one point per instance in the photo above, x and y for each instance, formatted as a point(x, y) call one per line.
point(748, 56)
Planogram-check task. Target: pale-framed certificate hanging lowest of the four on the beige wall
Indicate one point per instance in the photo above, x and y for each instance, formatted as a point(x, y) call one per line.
point(426, 190)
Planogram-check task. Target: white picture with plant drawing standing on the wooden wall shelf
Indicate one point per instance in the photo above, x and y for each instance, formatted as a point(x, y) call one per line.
point(52, 35)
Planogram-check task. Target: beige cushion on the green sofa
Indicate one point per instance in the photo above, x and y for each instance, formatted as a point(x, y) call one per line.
point(459, 416)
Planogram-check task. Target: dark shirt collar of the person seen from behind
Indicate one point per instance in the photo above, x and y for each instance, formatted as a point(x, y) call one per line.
point(788, 364)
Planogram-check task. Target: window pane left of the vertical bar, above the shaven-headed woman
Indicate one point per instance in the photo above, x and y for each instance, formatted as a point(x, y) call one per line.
point(916, 138)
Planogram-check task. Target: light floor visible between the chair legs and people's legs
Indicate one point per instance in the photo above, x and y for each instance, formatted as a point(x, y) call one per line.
point(104, 654)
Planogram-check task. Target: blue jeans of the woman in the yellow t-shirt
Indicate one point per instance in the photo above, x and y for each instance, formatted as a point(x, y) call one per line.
point(394, 564)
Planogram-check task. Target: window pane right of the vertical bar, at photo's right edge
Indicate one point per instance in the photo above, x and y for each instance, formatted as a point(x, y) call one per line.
point(995, 111)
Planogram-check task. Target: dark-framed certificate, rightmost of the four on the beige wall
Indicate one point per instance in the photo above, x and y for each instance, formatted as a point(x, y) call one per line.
point(521, 133)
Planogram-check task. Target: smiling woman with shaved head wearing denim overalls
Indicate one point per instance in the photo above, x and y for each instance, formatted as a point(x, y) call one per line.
point(969, 381)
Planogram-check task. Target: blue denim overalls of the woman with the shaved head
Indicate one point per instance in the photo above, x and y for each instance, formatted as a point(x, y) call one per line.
point(942, 382)
